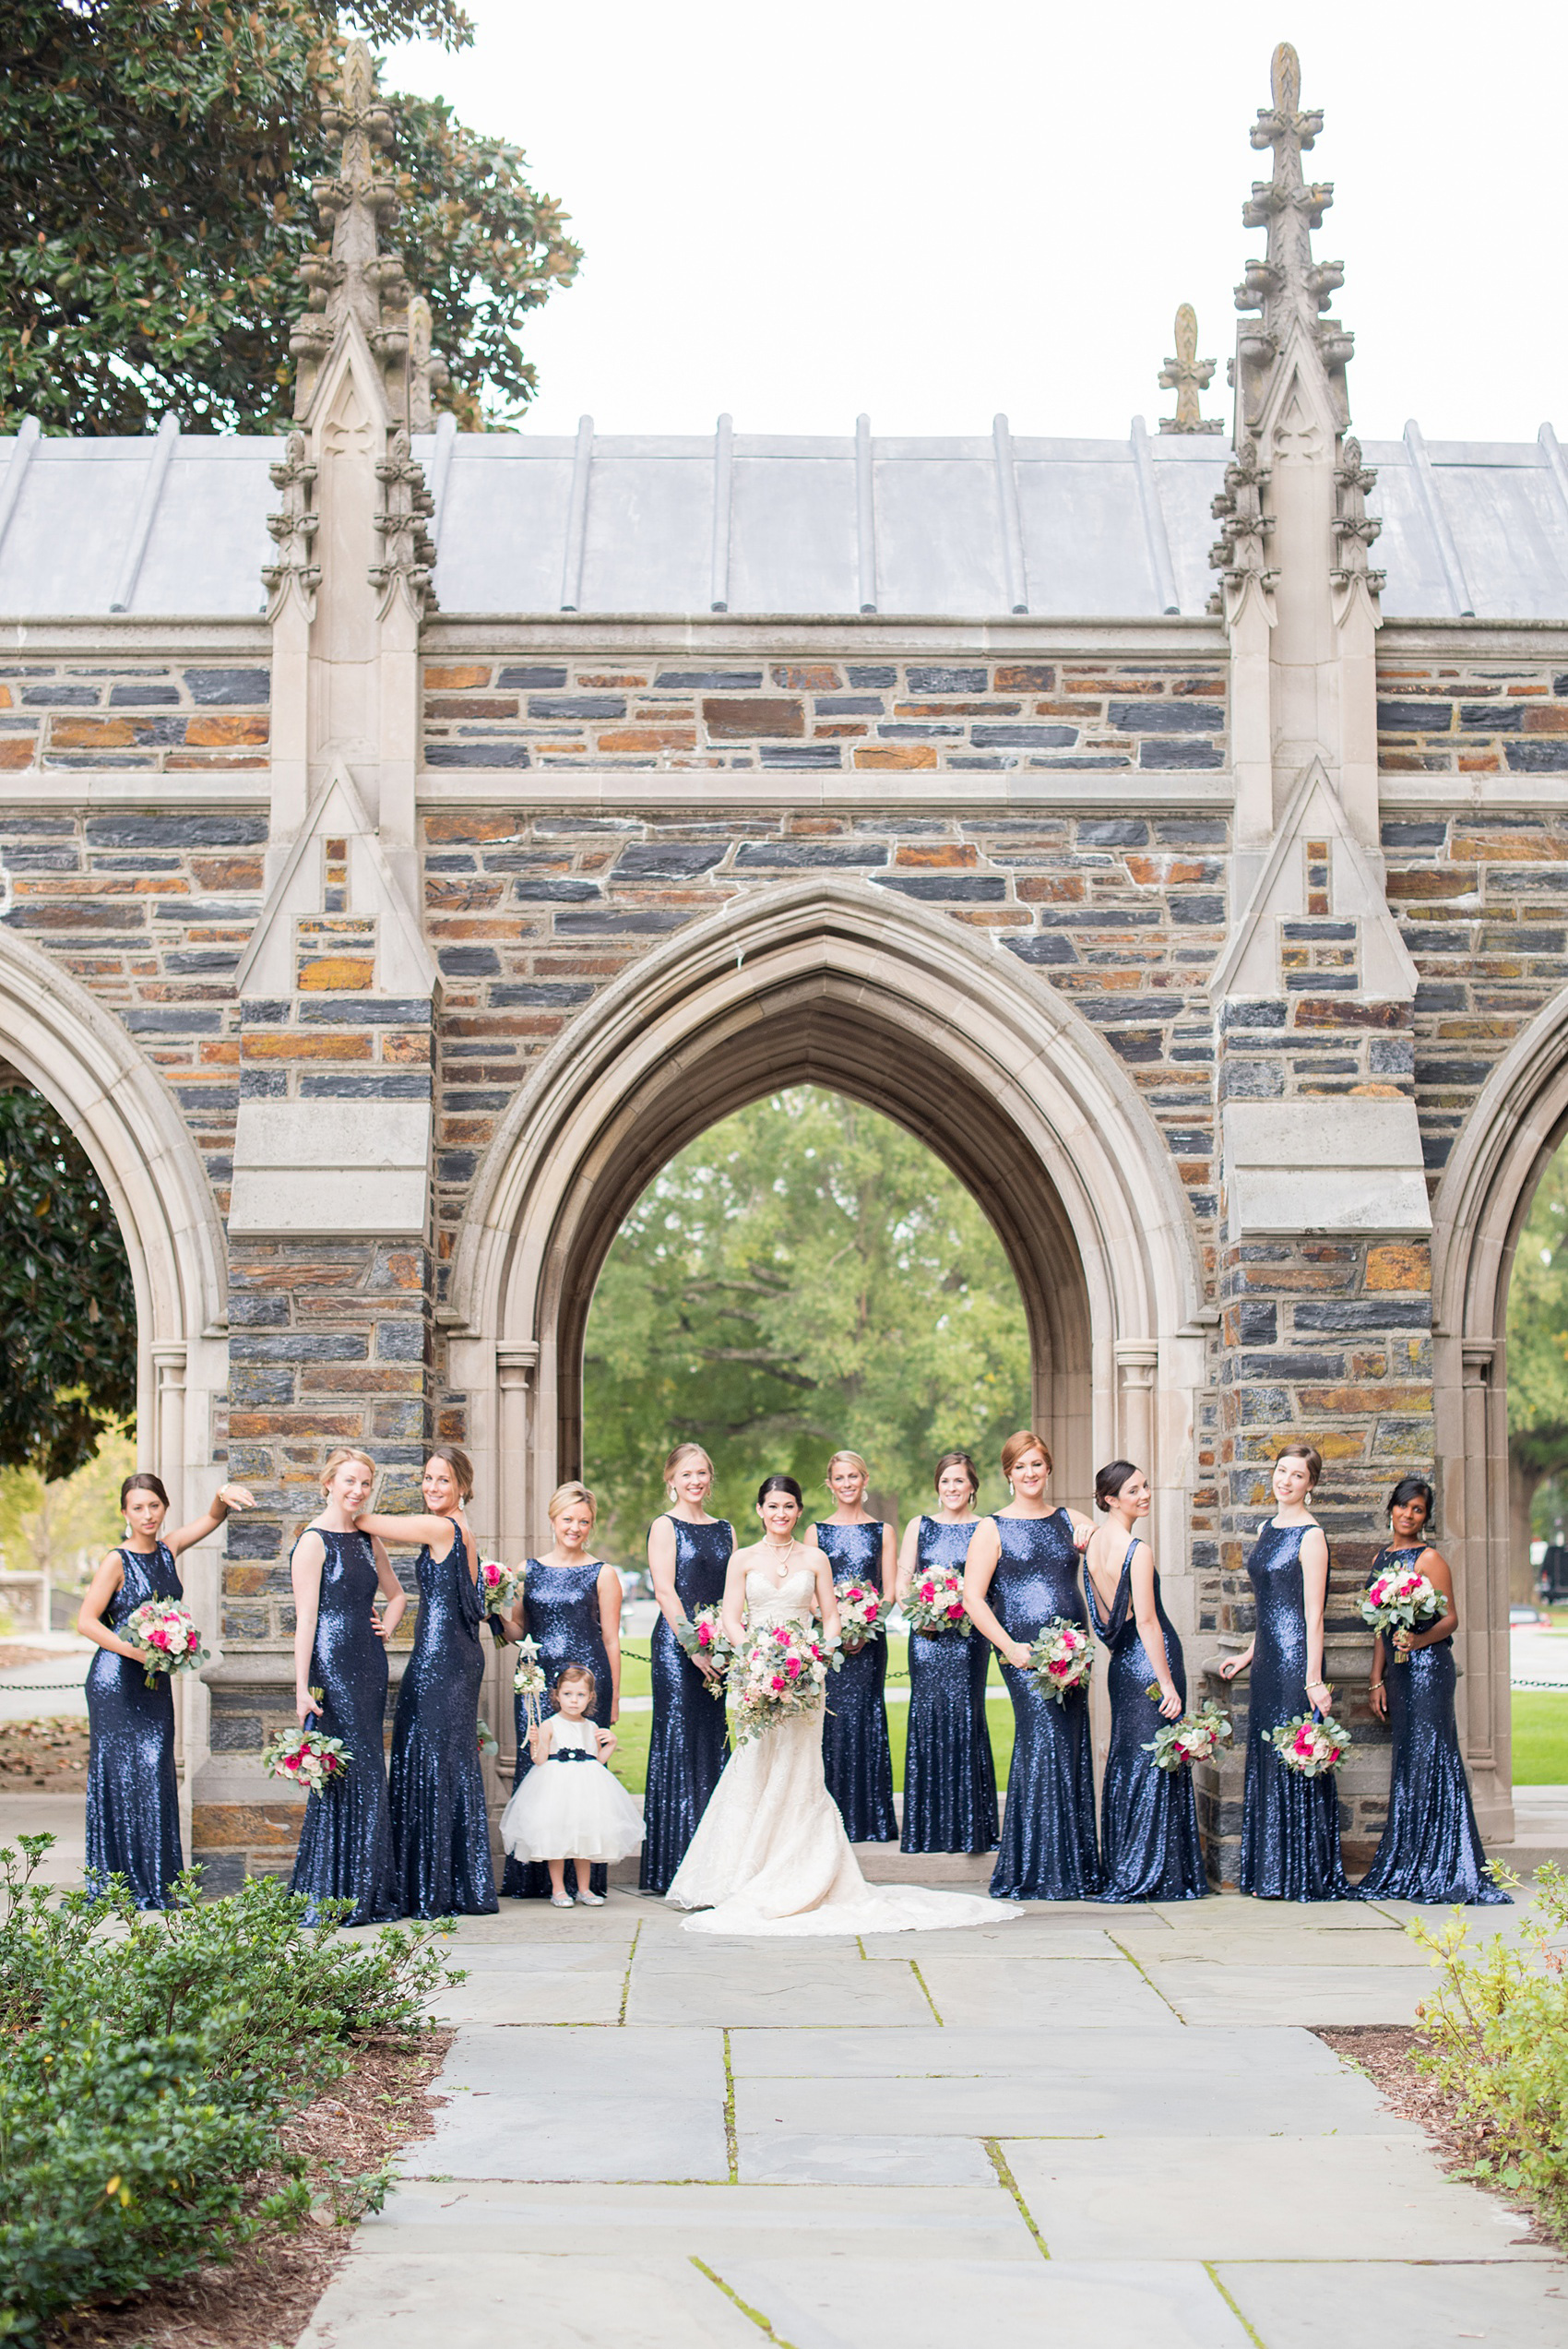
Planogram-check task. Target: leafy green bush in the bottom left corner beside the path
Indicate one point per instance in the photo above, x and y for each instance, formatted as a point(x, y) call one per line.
point(147, 2066)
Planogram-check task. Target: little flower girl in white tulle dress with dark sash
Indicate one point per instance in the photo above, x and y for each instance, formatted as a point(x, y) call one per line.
point(576, 1812)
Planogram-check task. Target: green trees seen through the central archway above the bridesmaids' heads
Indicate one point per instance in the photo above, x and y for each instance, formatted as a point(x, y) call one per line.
point(802, 1277)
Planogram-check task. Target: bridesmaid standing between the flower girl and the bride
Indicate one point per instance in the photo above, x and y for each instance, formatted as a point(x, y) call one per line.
point(689, 1556)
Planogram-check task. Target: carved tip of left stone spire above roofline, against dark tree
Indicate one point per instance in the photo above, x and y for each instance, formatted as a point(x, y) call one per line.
point(358, 281)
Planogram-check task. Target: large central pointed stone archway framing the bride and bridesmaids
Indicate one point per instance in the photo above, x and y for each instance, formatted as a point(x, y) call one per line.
point(849, 988)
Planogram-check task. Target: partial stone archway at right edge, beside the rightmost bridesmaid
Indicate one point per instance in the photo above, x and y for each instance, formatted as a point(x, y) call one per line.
point(1515, 1126)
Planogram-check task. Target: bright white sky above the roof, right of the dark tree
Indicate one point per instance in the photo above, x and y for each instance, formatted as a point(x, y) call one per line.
point(938, 213)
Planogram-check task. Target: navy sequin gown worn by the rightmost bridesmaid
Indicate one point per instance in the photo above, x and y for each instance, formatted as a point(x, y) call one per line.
point(1431, 1845)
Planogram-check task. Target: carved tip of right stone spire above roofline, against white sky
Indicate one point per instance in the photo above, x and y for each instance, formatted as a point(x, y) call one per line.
point(1290, 288)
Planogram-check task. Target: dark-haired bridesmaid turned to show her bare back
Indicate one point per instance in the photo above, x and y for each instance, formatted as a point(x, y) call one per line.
point(1149, 1817)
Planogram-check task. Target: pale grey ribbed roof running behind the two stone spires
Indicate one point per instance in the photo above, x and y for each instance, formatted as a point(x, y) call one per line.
point(635, 525)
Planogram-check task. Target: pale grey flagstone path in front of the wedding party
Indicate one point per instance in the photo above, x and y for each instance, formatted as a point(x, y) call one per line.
point(1100, 2129)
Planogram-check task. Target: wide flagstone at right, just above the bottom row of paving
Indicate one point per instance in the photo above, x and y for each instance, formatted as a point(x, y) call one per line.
point(1259, 2197)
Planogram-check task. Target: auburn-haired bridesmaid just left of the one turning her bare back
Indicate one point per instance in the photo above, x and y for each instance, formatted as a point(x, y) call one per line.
point(1022, 1570)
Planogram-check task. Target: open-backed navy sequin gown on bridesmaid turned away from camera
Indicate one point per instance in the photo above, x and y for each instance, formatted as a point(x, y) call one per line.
point(1149, 1817)
